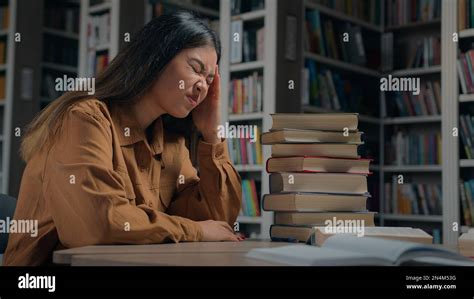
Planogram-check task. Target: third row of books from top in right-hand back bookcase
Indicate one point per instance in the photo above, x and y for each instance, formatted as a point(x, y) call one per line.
point(427, 102)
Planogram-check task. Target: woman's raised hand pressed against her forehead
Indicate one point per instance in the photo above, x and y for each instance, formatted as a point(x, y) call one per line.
point(207, 115)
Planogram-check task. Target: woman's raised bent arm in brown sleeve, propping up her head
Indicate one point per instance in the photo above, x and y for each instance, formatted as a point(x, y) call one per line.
point(216, 194)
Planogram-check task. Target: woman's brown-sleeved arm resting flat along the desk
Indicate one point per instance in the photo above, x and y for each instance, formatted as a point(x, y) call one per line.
point(86, 195)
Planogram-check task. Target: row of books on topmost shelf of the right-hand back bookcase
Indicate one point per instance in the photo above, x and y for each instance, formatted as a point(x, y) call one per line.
point(402, 12)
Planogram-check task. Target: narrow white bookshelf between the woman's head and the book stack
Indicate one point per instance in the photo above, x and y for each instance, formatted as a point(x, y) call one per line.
point(251, 20)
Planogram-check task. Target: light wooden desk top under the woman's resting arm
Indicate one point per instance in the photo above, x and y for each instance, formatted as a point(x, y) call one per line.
point(181, 254)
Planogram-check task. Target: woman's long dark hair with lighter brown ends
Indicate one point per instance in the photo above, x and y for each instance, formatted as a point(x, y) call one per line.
point(129, 75)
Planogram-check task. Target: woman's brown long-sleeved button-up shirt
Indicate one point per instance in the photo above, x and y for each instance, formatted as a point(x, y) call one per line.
point(102, 182)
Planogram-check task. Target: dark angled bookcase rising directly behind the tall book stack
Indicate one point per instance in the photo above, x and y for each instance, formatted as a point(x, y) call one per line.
point(317, 15)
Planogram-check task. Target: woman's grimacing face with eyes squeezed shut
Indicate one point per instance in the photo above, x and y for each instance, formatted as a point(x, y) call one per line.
point(185, 81)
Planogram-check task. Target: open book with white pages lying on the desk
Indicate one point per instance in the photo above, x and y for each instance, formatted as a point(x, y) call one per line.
point(349, 250)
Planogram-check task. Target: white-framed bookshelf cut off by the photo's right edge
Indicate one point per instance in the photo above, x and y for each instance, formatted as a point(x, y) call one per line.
point(460, 165)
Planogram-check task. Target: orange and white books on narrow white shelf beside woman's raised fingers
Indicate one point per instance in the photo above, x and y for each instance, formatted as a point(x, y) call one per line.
point(246, 94)
